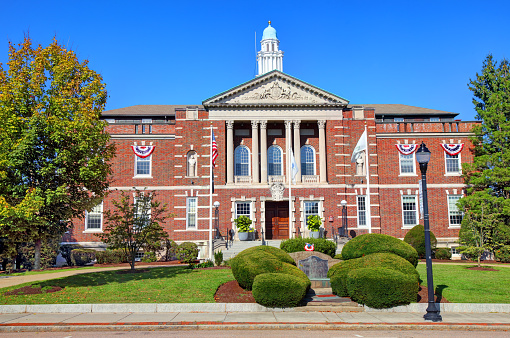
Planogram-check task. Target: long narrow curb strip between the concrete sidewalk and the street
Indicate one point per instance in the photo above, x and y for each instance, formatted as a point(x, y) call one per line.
point(247, 326)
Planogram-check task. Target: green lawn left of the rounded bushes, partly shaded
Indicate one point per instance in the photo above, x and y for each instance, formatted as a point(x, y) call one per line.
point(157, 285)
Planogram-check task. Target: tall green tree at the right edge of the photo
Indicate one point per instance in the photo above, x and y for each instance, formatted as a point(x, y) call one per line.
point(486, 224)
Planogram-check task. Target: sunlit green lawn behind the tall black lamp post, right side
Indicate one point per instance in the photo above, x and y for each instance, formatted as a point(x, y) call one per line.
point(459, 285)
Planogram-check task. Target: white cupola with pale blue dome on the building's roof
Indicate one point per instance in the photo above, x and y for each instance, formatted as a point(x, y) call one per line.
point(270, 57)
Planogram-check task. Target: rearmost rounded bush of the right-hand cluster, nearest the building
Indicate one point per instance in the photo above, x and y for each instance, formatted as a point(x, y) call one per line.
point(367, 244)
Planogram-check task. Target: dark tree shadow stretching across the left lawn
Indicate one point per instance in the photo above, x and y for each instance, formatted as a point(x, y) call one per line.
point(107, 277)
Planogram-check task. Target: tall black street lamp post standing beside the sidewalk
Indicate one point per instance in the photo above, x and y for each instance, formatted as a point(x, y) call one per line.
point(423, 158)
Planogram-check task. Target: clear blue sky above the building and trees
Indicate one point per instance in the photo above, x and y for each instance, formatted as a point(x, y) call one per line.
point(419, 53)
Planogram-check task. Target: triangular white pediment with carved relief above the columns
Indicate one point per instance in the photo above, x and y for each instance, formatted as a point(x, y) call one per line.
point(275, 88)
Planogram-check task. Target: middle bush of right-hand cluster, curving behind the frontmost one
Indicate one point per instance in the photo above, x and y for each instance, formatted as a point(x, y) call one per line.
point(338, 272)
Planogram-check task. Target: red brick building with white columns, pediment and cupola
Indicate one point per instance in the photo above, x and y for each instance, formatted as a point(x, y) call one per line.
point(254, 125)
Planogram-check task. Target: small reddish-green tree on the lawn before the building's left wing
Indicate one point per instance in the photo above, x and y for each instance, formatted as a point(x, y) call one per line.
point(135, 224)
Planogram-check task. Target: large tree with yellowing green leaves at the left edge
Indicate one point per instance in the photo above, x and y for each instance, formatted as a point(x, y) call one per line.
point(54, 162)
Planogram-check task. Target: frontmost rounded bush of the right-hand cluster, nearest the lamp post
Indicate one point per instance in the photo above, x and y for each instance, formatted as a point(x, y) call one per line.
point(381, 288)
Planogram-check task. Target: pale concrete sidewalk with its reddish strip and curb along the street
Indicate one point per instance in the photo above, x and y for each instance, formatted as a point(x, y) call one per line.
point(133, 321)
